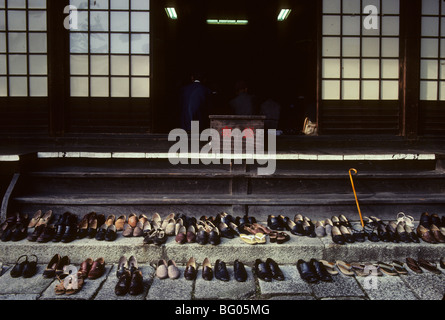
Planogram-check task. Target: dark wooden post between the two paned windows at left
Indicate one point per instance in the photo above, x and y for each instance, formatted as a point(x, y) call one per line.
point(58, 66)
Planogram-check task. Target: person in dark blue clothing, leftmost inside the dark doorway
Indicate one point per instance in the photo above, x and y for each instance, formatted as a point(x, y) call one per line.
point(194, 102)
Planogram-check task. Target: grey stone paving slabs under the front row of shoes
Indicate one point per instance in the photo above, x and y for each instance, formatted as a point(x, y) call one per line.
point(426, 286)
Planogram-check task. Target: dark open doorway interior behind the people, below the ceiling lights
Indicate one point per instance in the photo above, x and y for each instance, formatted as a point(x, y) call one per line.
point(275, 58)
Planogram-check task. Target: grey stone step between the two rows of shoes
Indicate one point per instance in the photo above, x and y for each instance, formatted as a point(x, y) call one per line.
point(298, 247)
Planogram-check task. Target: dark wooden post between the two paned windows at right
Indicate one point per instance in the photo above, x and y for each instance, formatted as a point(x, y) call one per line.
point(410, 26)
